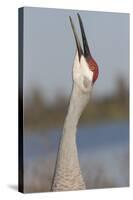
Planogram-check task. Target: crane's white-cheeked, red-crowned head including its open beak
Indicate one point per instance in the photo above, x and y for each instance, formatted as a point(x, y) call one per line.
point(85, 69)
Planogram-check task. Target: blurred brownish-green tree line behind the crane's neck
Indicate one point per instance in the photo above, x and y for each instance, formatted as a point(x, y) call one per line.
point(39, 114)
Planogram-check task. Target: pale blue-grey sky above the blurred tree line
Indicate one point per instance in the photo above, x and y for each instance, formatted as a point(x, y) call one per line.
point(49, 49)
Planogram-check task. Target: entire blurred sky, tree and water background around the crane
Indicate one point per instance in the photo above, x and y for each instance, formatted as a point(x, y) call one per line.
point(103, 131)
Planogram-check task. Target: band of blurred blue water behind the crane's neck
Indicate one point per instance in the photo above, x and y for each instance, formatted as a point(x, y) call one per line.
point(104, 135)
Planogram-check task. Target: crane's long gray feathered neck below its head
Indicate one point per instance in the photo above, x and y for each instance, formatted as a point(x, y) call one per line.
point(68, 174)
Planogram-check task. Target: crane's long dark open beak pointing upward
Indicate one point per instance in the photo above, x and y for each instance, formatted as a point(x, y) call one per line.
point(86, 51)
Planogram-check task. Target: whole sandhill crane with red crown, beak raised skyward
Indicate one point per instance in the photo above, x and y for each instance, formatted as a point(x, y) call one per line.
point(67, 174)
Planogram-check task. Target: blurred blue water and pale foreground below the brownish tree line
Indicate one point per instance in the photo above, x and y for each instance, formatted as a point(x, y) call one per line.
point(103, 154)
